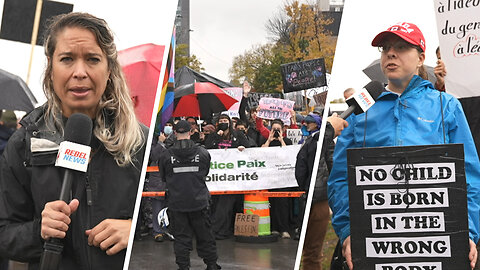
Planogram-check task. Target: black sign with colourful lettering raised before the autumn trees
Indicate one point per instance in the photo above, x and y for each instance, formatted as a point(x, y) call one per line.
point(303, 75)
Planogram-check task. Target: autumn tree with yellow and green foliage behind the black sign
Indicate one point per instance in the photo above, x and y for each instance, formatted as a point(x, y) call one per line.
point(298, 33)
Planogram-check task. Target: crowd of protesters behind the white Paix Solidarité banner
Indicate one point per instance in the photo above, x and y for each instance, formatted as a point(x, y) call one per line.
point(242, 132)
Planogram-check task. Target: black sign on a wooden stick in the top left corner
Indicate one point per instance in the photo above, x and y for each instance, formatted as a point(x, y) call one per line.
point(18, 18)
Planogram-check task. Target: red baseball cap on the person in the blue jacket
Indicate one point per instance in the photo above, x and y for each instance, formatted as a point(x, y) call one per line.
point(407, 31)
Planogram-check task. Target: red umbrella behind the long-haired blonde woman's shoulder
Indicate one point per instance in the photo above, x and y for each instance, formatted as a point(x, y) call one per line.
point(141, 65)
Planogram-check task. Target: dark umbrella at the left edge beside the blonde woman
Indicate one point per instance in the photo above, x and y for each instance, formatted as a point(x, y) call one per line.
point(15, 94)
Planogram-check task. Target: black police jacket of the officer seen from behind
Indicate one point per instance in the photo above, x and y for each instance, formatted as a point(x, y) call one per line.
point(184, 166)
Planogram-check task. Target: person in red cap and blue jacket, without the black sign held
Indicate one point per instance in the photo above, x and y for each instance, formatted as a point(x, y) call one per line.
point(409, 112)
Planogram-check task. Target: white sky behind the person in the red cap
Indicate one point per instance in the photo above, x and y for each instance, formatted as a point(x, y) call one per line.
point(361, 22)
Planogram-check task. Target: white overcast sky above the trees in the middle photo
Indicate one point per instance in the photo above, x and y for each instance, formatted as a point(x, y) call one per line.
point(225, 29)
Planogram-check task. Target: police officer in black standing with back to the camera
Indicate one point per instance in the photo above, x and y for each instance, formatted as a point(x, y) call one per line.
point(184, 167)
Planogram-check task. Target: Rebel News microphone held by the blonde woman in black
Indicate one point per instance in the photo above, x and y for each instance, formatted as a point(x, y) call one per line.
point(73, 155)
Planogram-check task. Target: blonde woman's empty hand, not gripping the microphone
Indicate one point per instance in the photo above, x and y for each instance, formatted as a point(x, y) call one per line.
point(110, 235)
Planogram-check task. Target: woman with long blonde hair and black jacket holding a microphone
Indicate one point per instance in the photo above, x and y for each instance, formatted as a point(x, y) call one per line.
point(82, 76)
